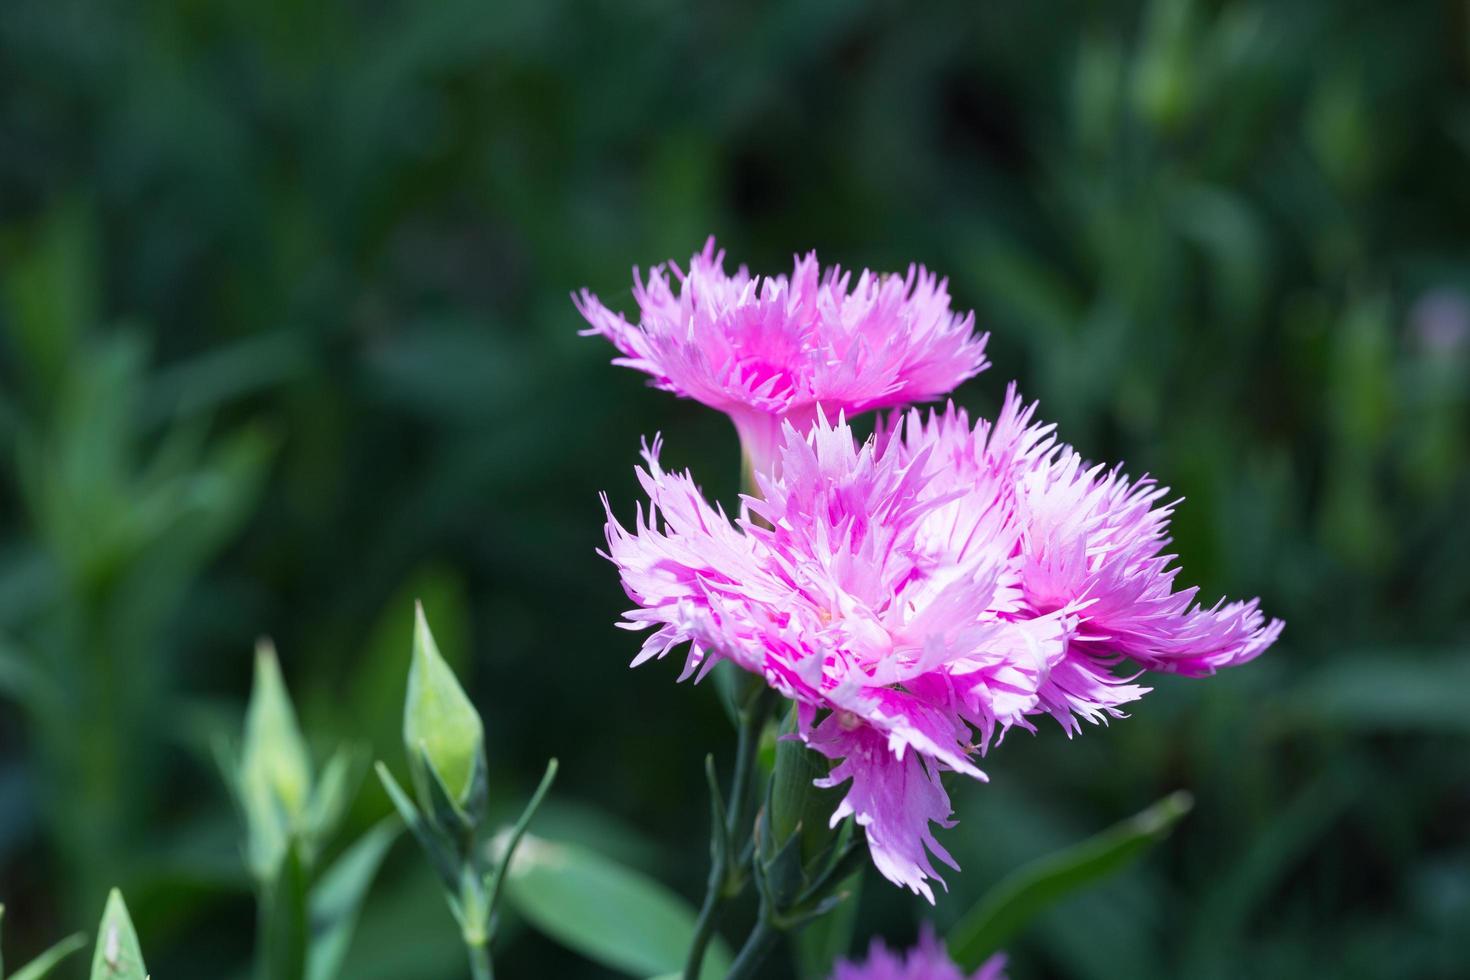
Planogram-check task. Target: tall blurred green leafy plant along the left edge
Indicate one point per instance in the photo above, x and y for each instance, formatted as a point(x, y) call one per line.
point(129, 502)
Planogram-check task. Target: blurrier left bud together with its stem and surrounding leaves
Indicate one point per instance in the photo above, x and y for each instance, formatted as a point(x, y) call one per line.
point(306, 915)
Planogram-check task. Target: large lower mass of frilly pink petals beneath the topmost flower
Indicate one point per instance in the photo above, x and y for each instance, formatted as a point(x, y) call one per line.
point(921, 594)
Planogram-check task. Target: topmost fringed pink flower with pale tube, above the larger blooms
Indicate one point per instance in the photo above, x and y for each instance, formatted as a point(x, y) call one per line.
point(774, 350)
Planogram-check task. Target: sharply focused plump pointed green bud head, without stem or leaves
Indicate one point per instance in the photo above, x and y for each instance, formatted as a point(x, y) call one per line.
point(442, 731)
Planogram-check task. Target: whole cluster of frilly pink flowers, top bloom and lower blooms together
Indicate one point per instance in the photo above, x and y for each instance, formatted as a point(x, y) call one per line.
point(917, 594)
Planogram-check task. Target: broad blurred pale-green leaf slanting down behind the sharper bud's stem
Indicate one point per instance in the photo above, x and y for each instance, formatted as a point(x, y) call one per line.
point(605, 912)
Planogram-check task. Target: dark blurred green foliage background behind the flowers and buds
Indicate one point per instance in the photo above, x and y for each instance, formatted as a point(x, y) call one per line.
point(286, 343)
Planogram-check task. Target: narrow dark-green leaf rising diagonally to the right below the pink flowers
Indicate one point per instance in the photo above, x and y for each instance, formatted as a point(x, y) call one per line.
point(1034, 888)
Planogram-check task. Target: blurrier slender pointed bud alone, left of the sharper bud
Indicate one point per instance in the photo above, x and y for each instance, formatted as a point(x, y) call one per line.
point(276, 768)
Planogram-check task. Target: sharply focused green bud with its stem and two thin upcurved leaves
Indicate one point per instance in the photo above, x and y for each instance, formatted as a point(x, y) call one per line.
point(445, 740)
